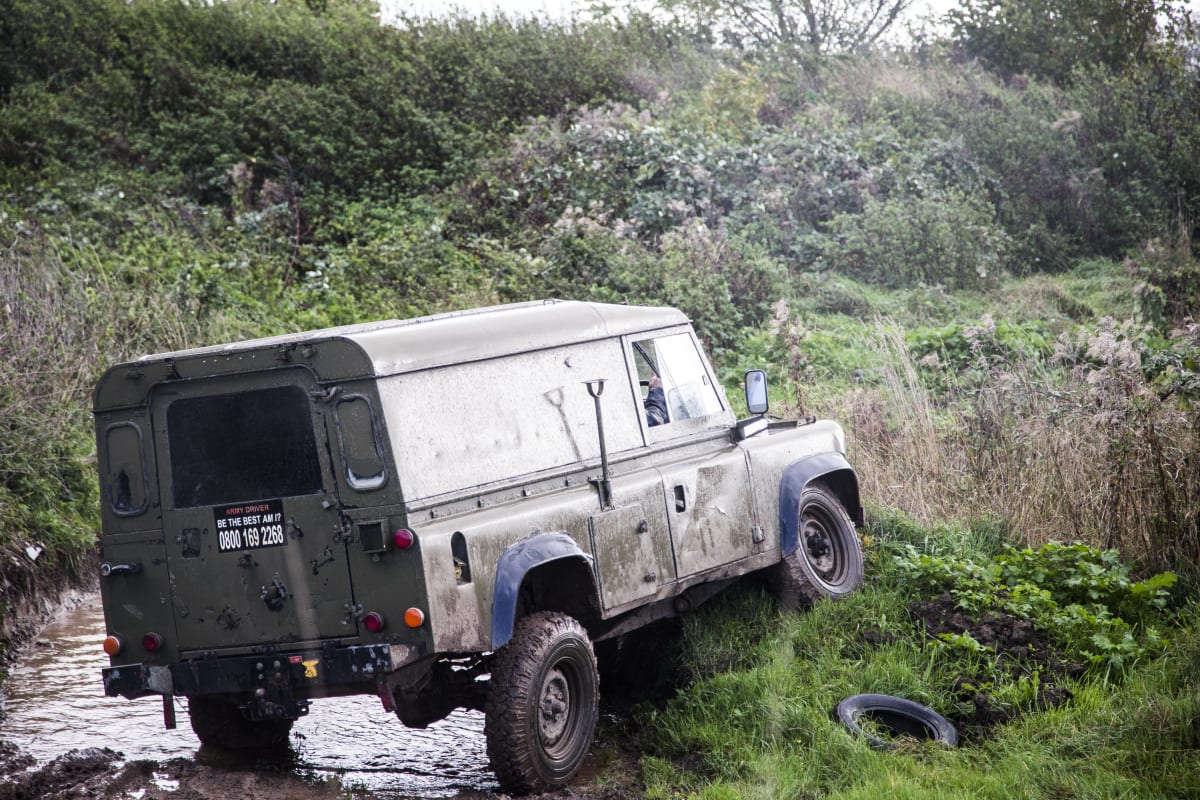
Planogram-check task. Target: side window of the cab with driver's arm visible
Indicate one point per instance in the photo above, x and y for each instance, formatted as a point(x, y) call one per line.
point(687, 392)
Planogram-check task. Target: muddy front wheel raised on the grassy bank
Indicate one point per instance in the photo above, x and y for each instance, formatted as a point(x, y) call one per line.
point(801, 579)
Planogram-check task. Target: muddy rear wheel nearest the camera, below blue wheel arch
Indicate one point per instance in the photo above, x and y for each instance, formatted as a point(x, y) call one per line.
point(549, 657)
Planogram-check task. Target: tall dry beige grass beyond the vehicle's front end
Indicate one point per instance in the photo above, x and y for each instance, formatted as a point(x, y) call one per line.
point(1078, 449)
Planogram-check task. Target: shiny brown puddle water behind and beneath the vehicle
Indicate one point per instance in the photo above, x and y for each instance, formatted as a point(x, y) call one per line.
point(56, 703)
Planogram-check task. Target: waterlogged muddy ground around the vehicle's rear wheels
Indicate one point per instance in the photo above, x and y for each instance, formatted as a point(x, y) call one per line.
point(62, 738)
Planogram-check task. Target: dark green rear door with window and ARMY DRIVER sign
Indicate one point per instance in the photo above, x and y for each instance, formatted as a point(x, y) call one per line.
point(255, 540)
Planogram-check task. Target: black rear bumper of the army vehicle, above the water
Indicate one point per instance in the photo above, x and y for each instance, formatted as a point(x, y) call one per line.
point(308, 673)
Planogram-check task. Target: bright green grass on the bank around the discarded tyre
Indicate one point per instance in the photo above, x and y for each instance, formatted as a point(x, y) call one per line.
point(757, 719)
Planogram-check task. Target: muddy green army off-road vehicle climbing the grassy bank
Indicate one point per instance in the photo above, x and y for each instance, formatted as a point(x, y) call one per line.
point(448, 513)
